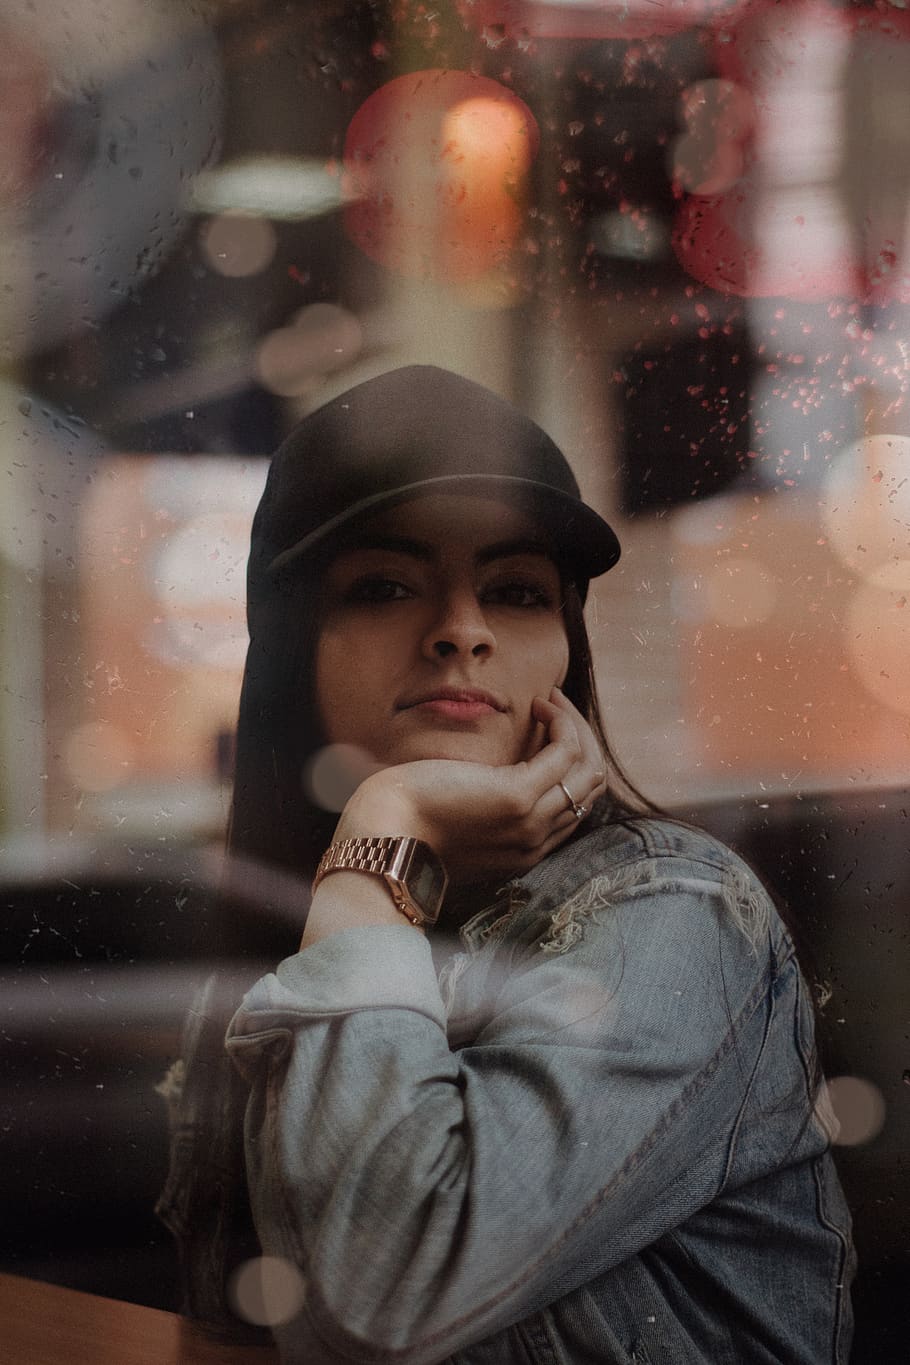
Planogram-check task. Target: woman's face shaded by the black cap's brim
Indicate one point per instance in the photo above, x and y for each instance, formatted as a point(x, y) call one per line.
point(440, 626)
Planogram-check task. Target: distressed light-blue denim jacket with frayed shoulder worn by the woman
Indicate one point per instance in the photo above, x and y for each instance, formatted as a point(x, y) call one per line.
point(593, 1138)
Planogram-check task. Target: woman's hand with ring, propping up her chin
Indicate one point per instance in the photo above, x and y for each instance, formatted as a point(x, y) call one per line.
point(488, 821)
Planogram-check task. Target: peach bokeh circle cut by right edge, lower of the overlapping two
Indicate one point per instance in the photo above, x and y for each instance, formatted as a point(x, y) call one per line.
point(878, 635)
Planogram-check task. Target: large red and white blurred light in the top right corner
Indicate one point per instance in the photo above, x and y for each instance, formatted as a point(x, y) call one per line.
point(819, 207)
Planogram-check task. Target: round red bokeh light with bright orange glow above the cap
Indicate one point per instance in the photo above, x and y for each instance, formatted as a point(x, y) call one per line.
point(437, 166)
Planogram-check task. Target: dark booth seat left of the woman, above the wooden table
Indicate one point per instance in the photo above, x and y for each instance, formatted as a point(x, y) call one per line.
point(102, 955)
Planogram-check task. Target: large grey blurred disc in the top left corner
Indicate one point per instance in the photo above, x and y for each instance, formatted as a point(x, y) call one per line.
point(107, 114)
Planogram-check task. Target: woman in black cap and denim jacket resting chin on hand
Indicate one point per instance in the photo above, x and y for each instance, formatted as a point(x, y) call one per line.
point(589, 1131)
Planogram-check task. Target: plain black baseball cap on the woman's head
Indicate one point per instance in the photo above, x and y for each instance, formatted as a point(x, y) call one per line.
point(410, 432)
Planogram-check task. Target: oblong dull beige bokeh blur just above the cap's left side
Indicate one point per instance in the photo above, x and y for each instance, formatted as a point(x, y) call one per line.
point(321, 339)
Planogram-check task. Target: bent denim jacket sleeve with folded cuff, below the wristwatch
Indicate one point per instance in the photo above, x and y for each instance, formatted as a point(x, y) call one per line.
point(432, 1198)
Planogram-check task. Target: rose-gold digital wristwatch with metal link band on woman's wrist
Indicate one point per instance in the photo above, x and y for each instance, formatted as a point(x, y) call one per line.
point(410, 869)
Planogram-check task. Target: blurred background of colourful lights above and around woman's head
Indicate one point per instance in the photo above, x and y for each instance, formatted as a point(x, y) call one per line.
point(676, 234)
